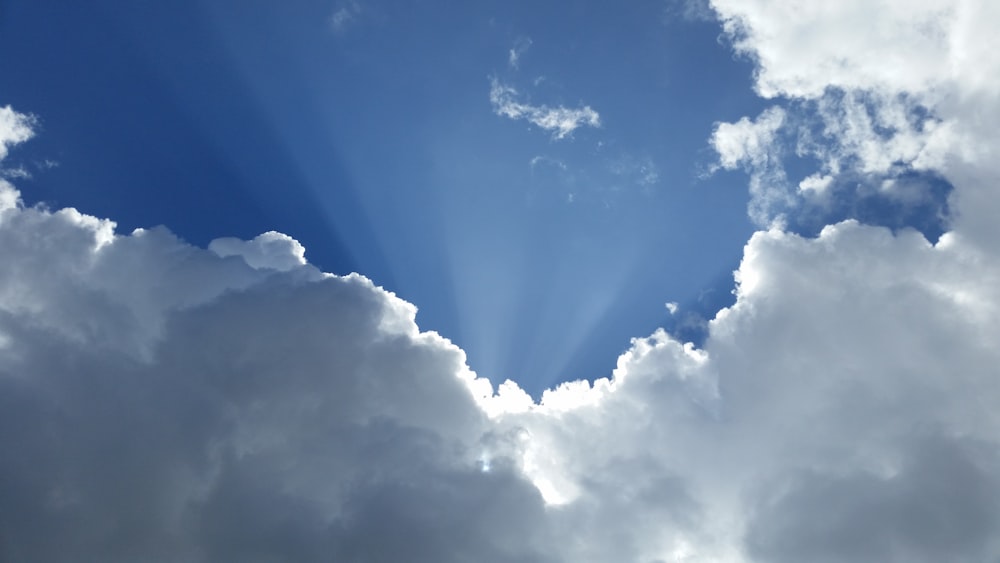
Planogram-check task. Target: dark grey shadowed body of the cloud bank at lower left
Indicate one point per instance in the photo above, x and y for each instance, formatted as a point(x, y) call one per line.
point(274, 423)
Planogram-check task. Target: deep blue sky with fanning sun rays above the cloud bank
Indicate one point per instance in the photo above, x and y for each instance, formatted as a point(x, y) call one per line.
point(374, 143)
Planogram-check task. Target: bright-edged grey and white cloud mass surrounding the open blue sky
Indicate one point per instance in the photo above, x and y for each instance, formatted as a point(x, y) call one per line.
point(169, 403)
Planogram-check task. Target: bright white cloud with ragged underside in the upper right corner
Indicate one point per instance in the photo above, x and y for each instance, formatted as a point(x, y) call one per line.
point(882, 89)
